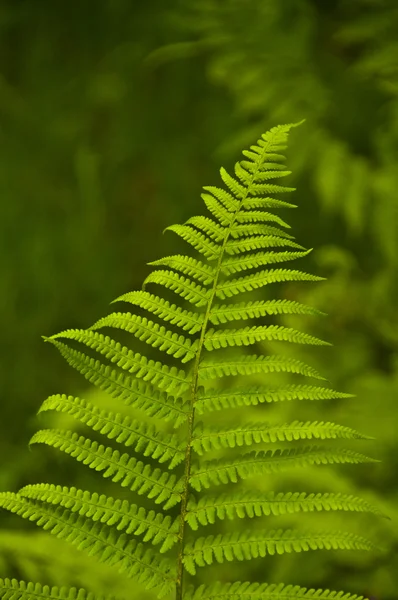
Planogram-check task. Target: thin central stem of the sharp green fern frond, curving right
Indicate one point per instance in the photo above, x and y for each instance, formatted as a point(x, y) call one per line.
point(194, 388)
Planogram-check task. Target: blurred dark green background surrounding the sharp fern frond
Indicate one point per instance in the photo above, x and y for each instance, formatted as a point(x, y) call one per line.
point(113, 114)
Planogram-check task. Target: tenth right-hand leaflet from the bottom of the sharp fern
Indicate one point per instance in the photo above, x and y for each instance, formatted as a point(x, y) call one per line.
point(230, 288)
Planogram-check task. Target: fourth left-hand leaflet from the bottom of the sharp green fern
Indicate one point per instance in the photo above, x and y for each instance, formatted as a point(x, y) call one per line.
point(123, 468)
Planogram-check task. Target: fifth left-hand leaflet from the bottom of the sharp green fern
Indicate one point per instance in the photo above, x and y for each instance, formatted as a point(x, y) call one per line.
point(144, 437)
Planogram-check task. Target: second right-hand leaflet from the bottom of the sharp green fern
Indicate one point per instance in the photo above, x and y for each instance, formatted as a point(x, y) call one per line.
point(253, 544)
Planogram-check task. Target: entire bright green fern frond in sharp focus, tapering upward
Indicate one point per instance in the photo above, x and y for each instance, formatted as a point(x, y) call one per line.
point(199, 328)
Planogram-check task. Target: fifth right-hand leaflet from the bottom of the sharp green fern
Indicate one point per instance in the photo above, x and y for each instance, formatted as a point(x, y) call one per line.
point(206, 439)
